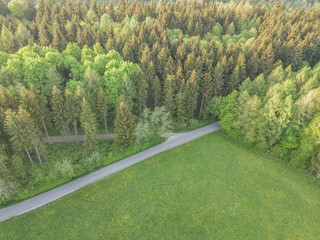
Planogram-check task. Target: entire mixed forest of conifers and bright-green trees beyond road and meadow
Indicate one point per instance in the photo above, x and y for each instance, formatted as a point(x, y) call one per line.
point(139, 68)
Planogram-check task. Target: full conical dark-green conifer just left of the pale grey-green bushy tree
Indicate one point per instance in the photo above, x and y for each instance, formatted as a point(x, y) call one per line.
point(124, 125)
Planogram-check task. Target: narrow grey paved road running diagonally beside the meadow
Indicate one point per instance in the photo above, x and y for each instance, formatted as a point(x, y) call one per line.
point(44, 198)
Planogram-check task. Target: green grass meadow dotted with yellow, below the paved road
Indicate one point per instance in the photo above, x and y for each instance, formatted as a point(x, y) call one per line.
point(211, 188)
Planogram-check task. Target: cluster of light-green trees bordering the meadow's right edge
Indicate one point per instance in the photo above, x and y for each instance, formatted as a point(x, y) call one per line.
point(279, 113)
